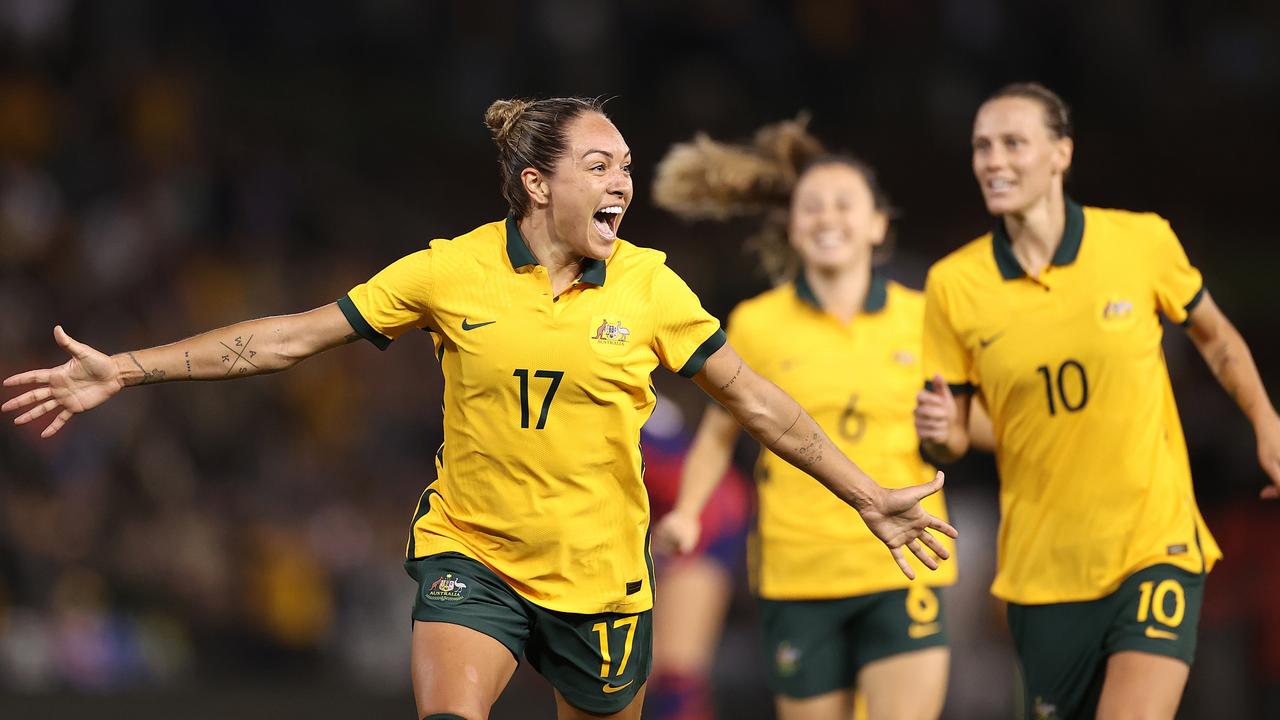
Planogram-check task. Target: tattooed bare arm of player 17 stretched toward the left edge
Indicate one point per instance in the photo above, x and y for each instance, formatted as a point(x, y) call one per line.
point(253, 348)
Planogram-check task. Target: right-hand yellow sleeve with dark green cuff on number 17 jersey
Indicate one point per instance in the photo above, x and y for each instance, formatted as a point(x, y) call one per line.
point(685, 335)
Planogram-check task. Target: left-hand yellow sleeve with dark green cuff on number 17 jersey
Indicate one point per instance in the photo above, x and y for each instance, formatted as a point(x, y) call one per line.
point(394, 302)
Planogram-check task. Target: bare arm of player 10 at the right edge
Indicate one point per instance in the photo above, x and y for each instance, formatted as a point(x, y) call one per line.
point(1233, 366)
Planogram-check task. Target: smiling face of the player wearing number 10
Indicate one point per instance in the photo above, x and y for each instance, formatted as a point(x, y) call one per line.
point(1017, 158)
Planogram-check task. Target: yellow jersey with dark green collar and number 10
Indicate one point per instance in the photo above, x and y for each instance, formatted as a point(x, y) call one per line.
point(1095, 482)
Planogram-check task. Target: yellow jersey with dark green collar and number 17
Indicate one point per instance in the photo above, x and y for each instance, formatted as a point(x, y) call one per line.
point(541, 476)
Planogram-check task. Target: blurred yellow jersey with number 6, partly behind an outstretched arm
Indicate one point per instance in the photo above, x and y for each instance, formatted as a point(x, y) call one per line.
point(860, 382)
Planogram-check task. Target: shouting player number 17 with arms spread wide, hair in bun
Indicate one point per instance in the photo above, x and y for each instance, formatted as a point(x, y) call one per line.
point(534, 536)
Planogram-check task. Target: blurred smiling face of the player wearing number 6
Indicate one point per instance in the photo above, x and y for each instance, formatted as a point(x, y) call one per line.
point(835, 224)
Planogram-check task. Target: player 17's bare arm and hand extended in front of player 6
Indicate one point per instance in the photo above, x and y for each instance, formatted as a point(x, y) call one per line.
point(779, 423)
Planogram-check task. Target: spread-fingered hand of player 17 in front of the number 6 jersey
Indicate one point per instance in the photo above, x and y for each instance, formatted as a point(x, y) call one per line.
point(898, 520)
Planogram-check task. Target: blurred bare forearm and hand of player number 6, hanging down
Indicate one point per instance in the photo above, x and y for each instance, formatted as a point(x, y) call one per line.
point(705, 470)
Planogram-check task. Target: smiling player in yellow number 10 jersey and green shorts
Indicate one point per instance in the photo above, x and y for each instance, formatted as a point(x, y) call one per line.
point(1054, 320)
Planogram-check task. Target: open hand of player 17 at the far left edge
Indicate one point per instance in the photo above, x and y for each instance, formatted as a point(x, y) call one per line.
point(83, 384)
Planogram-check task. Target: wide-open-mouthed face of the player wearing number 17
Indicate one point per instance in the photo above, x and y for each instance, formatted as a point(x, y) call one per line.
point(589, 189)
